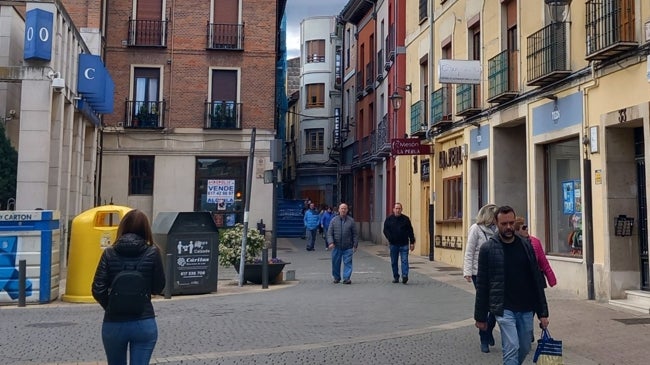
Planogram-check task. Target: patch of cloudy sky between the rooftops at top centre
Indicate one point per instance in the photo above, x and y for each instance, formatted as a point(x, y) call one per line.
point(297, 10)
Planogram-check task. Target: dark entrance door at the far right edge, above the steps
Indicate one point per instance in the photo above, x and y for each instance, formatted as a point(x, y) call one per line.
point(639, 156)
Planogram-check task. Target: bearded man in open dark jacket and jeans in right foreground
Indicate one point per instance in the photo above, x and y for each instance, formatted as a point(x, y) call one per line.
point(510, 286)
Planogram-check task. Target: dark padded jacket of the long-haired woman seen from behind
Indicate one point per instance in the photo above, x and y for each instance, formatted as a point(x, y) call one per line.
point(130, 247)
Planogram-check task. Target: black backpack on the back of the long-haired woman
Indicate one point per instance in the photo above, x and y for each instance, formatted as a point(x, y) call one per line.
point(129, 292)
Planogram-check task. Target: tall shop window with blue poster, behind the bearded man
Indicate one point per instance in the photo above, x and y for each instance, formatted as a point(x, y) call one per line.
point(564, 198)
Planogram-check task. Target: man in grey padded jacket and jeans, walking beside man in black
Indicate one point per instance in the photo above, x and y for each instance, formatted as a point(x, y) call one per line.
point(343, 240)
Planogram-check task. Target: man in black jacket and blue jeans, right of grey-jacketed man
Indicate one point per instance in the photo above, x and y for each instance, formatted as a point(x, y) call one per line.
point(399, 233)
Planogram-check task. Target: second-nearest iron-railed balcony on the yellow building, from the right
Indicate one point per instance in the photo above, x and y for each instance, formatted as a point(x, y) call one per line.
point(548, 55)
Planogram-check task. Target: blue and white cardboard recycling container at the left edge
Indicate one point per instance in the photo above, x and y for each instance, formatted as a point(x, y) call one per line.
point(33, 236)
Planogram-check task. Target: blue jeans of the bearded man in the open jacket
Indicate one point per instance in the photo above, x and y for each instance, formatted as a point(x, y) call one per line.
point(516, 332)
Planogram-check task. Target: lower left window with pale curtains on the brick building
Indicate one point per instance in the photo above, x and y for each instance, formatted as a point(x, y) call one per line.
point(146, 106)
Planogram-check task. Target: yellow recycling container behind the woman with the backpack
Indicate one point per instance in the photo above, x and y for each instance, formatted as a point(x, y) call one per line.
point(91, 232)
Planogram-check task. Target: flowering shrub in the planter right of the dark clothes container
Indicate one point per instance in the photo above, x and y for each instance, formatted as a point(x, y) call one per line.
point(230, 245)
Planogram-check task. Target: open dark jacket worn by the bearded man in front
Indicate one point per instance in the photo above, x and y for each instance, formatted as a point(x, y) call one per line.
point(490, 280)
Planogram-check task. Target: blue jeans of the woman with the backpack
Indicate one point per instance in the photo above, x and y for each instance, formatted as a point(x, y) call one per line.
point(139, 336)
